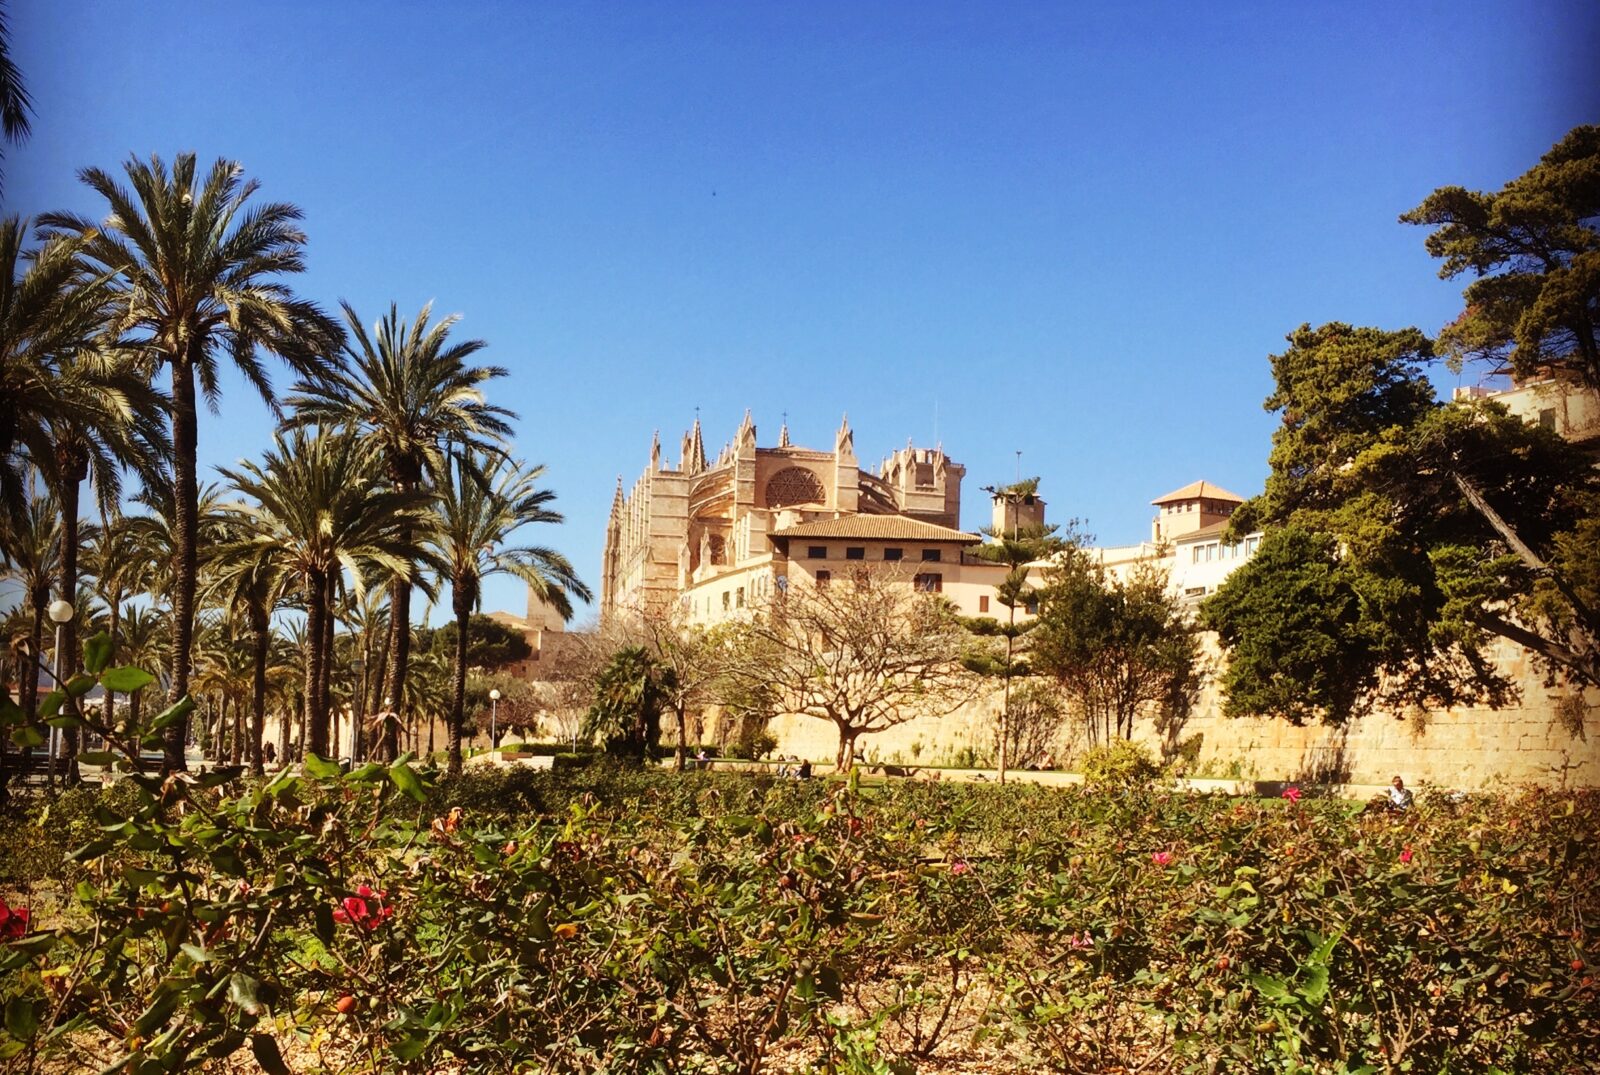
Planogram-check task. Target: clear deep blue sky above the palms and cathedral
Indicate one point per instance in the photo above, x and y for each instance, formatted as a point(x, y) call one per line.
point(1071, 231)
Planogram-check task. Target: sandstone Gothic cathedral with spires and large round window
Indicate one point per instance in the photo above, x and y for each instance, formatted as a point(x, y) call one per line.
point(719, 537)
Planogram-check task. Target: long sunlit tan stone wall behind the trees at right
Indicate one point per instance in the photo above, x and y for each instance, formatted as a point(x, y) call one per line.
point(1537, 741)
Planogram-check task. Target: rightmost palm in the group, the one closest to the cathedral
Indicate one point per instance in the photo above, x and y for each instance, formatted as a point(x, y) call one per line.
point(482, 505)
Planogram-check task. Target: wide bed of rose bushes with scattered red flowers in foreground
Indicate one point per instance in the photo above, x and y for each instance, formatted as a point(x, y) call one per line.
point(634, 922)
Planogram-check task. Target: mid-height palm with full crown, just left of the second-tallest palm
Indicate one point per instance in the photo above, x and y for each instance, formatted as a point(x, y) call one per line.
point(318, 513)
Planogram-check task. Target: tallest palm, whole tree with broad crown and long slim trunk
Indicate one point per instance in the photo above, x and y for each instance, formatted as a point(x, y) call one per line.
point(199, 278)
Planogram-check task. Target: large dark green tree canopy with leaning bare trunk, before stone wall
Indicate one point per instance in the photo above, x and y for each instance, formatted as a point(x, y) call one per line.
point(1402, 538)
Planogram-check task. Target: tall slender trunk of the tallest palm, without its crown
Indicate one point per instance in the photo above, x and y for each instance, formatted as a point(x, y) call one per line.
point(185, 556)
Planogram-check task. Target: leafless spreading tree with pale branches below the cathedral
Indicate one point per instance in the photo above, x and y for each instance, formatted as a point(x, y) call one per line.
point(865, 655)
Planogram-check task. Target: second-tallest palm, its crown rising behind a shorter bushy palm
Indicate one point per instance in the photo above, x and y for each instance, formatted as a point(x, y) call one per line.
point(409, 390)
